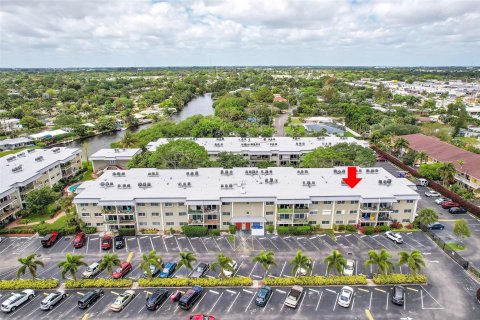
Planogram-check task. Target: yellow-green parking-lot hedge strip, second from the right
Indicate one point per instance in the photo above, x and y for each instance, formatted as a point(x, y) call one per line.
point(317, 281)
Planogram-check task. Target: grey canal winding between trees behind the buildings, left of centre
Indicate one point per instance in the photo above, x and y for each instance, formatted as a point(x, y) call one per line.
point(200, 105)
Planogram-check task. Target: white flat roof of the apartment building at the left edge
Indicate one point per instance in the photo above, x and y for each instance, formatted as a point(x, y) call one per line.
point(32, 163)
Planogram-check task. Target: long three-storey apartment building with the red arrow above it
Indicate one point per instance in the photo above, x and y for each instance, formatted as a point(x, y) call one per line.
point(248, 198)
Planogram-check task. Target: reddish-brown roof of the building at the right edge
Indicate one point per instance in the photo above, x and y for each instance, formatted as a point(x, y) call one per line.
point(445, 152)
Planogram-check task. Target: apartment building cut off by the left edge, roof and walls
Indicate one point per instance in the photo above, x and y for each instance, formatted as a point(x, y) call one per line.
point(32, 169)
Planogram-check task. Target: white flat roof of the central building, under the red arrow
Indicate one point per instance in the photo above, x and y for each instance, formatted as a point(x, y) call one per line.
point(205, 184)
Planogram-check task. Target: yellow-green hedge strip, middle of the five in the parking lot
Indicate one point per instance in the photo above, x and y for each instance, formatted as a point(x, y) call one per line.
point(188, 282)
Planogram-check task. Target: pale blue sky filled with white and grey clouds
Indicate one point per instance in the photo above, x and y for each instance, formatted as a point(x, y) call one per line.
point(136, 33)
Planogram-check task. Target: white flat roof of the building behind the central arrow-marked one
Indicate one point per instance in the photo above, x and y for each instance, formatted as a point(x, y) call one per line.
point(262, 145)
